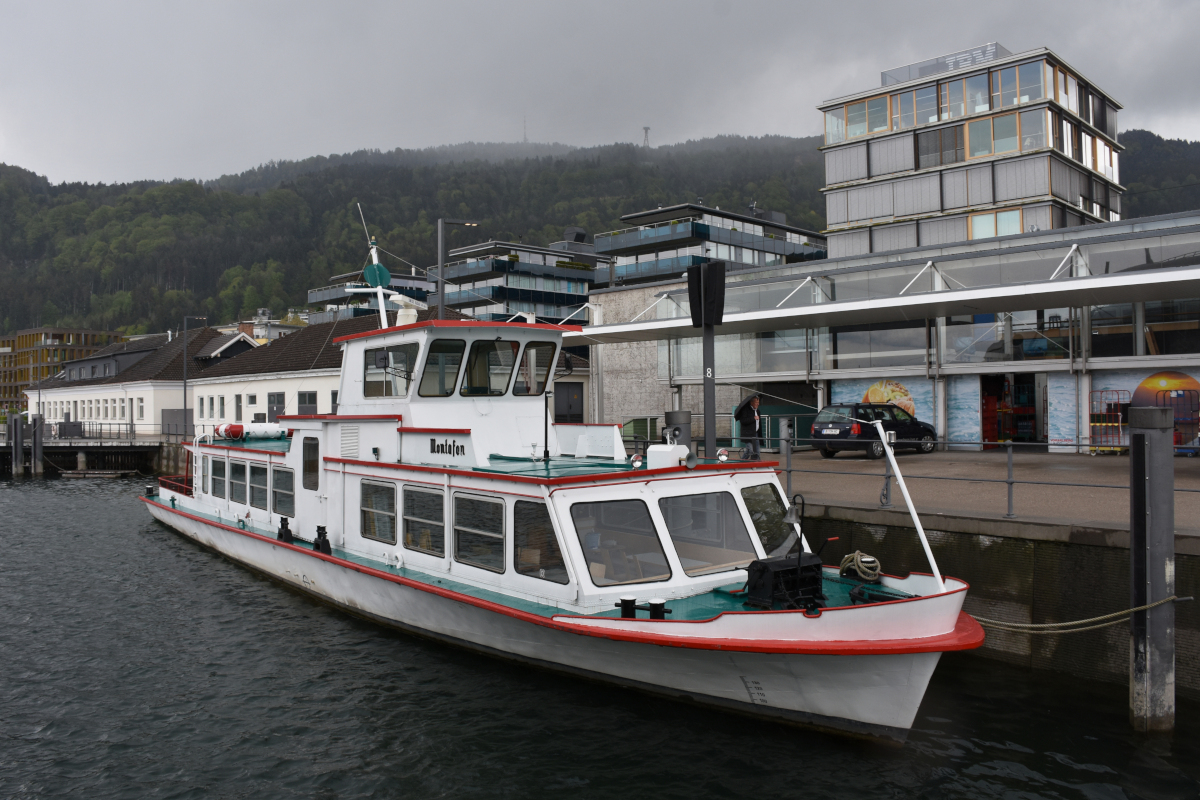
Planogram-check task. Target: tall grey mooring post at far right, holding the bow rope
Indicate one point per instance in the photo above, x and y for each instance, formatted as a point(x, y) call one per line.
point(1153, 568)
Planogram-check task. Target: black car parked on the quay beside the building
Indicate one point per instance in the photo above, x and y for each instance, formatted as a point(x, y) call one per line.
point(850, 426)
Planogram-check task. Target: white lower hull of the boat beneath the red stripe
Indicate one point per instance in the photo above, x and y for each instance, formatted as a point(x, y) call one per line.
point(872, 694)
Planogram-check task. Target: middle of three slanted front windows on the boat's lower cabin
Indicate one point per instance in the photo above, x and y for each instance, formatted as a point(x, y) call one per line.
point(709, 533)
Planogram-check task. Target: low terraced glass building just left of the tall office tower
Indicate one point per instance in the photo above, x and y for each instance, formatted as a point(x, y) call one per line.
point(662, 244)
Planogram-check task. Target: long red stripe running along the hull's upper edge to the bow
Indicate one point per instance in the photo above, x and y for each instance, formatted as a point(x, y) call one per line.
point(968, 634)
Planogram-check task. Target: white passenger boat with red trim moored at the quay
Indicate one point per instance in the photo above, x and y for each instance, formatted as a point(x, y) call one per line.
point(429, 504)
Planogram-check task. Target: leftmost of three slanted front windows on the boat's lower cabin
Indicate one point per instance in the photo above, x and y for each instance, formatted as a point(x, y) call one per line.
point(620, 543)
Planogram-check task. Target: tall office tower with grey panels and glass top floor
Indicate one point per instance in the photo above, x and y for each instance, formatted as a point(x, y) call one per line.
point(971, 146)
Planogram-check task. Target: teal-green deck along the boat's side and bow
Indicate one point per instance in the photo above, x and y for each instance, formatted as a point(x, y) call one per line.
point(699, 607)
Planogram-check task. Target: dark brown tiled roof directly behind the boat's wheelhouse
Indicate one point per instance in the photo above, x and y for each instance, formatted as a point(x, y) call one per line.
point(310, 348)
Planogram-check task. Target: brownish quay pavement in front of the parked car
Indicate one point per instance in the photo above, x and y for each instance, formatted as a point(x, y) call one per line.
point(853, 480)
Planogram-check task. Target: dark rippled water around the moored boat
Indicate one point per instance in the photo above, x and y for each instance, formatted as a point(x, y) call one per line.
point(136, 665)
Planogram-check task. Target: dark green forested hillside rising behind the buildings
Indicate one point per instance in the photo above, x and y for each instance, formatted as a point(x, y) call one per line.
point(137, 257)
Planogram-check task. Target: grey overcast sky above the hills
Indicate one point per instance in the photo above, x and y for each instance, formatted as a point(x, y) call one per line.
point(118, 92)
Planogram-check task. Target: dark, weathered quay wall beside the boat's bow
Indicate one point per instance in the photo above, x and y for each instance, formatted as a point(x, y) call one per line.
point(1028, 573)
